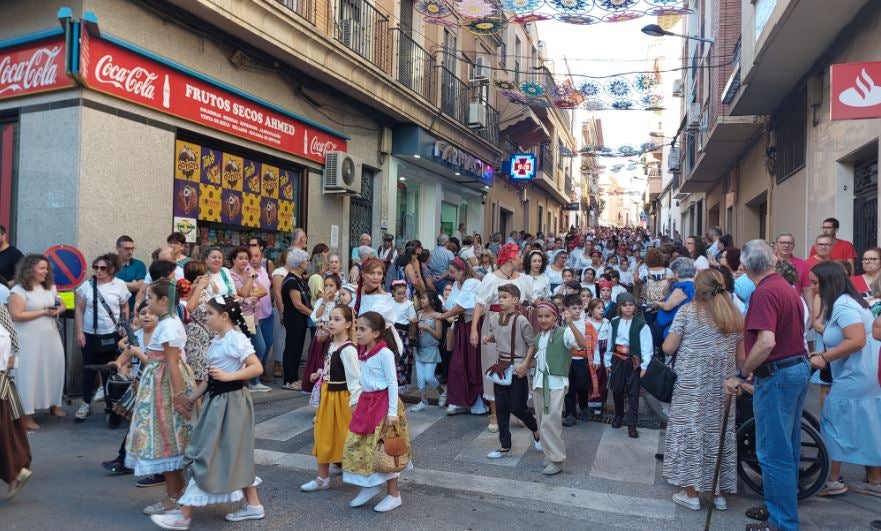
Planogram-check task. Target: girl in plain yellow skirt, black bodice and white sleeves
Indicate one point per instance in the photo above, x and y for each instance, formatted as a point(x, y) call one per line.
point(340, 389)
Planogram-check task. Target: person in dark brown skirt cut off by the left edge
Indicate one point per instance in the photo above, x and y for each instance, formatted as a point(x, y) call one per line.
point(15, 452)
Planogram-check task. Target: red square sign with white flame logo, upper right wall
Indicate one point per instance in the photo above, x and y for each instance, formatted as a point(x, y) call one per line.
point(855, 91)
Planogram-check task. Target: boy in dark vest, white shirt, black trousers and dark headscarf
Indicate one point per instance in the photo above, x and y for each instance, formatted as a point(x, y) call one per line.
point(629, 352)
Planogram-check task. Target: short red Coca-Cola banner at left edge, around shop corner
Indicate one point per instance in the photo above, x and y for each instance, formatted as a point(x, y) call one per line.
point(33, 67)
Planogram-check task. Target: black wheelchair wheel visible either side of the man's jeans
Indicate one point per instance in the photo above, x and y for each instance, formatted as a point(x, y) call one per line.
point(814, 461)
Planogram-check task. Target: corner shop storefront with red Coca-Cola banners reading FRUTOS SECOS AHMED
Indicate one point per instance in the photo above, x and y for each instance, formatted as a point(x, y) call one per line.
point(107, 137)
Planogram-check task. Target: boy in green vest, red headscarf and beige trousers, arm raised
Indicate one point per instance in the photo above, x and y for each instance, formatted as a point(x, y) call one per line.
point(552, 362)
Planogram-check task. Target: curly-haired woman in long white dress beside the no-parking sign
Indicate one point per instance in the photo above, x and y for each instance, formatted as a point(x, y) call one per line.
point(34, 305)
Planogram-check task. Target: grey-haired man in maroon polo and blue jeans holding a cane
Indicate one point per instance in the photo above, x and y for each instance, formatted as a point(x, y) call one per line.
point(773, 338)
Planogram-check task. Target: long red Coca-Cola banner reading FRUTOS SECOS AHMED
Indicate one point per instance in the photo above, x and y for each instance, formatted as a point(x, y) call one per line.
point(110, 68)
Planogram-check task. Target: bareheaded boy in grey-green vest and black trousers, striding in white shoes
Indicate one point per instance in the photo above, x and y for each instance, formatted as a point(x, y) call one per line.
point(515, 343)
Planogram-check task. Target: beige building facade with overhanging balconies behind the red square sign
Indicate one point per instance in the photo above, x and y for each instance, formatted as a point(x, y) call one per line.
point(762, 155)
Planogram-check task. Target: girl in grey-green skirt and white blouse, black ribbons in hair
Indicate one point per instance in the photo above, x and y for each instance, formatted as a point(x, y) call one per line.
point(220, 460)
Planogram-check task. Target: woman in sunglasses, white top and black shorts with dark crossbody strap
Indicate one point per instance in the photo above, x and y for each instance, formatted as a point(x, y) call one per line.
point(101, 303)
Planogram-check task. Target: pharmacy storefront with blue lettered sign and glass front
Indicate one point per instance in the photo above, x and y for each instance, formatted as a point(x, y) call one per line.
point(439, 186)
